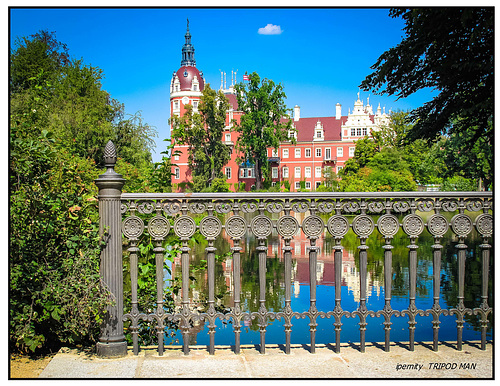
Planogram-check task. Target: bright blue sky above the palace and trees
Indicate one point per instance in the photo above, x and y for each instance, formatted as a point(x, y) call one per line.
point(319, 55)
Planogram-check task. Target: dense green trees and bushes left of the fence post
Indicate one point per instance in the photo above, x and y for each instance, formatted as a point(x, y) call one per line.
point(59, 115)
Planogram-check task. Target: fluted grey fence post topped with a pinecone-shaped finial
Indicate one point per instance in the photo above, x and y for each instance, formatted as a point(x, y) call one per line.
point(112, 340)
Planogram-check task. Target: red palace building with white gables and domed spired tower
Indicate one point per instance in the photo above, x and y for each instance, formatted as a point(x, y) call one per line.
point(320, 142)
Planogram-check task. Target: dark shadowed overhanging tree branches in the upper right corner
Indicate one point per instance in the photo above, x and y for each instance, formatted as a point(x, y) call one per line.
point(449, 50)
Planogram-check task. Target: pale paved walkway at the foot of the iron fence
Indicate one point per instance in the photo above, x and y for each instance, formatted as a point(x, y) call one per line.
point(471, 362)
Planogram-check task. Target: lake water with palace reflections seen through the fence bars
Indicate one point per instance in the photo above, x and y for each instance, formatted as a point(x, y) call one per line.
point(325, 292)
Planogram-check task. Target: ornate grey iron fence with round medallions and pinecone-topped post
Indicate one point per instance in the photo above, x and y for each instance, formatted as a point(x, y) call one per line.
point(162, 214)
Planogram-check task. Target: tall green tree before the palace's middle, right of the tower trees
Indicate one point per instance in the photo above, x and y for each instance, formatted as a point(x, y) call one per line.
point(262, 126)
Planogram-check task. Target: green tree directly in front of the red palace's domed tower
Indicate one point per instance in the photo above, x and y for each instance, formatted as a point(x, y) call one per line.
point(202, 131)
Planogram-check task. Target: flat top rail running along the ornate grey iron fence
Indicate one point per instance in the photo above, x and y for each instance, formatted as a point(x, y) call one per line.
point(301, 195)
